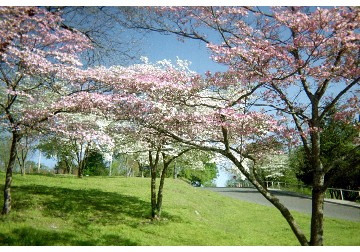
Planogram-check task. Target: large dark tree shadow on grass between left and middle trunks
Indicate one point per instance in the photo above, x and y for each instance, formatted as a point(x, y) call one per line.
point(96, 205)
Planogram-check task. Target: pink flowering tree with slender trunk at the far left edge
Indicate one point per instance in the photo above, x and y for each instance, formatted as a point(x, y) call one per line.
point(39, 62)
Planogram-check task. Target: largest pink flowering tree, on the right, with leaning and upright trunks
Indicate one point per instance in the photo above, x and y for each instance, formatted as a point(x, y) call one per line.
point(299, 63)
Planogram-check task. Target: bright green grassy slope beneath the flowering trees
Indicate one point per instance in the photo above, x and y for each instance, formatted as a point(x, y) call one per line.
point(115, 211)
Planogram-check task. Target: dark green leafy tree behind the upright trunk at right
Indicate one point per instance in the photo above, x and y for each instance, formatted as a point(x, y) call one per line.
point(338, 139)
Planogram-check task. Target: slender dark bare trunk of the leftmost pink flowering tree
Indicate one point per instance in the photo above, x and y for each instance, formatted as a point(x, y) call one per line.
point(8, 179)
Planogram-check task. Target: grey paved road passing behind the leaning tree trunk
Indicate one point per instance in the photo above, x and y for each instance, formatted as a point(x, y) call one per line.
point(333, 208)
